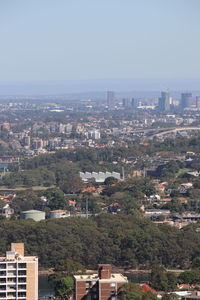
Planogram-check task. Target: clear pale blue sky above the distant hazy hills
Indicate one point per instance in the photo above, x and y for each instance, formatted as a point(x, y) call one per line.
point(88, 39)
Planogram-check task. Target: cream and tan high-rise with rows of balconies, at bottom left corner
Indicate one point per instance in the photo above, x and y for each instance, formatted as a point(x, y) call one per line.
point(18, 275)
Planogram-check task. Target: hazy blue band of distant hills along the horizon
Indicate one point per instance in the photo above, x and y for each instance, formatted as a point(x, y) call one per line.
point(120, 85)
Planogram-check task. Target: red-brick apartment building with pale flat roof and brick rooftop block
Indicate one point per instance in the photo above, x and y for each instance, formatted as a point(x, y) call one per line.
point(102, 286)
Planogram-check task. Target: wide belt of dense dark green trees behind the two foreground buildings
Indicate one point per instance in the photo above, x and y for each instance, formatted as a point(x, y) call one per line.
point(127, 241)
